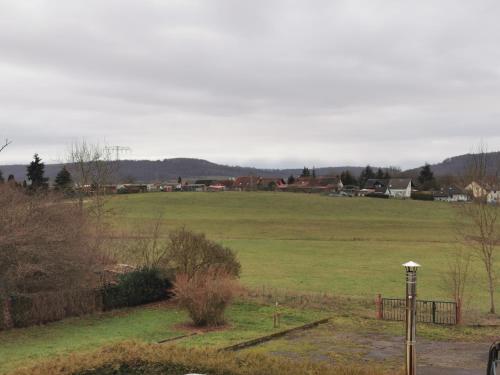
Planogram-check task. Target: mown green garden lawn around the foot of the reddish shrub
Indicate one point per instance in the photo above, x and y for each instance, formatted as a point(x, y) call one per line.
point(19, 347)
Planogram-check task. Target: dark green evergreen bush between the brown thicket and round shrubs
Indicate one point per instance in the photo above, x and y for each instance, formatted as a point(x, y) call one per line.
point(136, 288)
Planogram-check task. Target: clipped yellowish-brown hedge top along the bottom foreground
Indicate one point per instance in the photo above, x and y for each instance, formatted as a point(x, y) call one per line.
point(140, 358)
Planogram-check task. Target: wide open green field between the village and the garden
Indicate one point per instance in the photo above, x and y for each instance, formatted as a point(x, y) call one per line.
point(308, 242)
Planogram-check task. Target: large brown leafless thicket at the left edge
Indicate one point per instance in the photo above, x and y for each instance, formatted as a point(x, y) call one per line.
point(43, 244)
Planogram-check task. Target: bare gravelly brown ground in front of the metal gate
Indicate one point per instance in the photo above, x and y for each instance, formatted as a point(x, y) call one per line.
point(325, 343)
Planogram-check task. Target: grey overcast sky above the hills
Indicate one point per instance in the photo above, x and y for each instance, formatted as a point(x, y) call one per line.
point(262, 83)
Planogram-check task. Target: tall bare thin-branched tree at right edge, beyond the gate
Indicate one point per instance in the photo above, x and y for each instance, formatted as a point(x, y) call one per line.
point(479, 226)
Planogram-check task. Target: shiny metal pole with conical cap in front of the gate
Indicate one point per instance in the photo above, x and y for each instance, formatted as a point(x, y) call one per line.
point(411, 316)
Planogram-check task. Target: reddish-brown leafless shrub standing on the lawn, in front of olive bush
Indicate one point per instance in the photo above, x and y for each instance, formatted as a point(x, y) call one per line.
point(206, 295)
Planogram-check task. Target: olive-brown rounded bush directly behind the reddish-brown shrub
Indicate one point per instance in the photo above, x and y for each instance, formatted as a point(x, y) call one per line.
point(191, 252)
